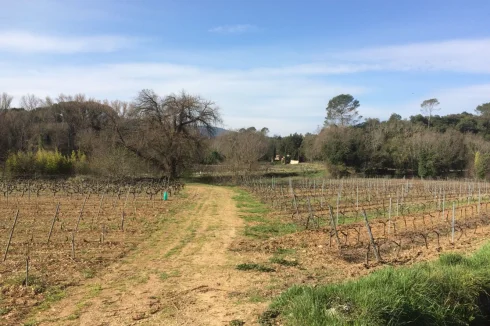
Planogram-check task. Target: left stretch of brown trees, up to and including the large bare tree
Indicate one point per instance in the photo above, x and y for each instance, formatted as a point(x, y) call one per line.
point(151, 133)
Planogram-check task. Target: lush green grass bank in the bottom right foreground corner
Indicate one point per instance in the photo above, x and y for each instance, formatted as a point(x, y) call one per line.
point(453, 290)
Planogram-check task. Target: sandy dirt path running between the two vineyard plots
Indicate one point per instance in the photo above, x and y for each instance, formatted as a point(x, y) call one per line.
point(183, 275)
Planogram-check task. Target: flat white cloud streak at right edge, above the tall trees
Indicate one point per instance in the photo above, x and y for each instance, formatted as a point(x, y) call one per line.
point(455, 55)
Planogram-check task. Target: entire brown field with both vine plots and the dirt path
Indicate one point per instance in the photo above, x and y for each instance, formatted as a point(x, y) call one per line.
point(116, 253)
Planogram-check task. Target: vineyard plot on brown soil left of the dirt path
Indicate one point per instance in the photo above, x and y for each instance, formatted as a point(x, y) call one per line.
point(55, 233)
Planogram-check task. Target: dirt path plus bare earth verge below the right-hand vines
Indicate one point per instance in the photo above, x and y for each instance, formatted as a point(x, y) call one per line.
point(219, 258)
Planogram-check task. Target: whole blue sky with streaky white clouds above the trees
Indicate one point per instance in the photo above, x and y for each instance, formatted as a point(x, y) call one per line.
point(265, 63)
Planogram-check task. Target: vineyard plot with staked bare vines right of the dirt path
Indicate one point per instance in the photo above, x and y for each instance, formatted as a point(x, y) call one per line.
point(380, 220)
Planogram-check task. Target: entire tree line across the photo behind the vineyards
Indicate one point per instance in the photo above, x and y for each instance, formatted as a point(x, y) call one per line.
point(174, 133)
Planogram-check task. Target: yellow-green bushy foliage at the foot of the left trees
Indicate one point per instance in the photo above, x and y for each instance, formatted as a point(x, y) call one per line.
point(45, 162)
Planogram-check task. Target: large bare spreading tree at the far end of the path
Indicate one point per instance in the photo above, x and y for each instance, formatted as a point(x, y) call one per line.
point(168, 131)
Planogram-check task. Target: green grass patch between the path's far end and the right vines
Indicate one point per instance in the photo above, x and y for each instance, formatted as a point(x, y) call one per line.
point(255, 213)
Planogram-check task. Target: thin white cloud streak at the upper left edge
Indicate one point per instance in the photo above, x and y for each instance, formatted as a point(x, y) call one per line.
point(27, 42)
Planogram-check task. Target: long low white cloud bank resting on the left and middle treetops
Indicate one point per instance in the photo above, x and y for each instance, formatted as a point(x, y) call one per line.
point(285, 100)
